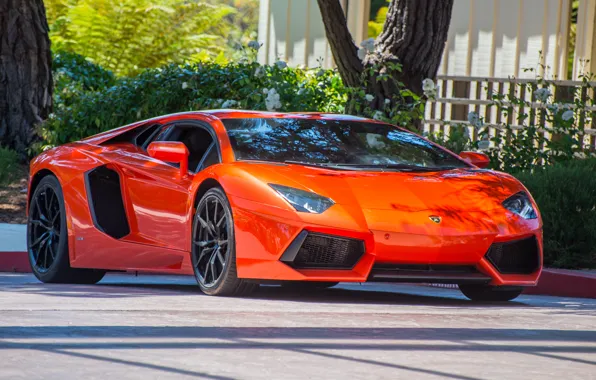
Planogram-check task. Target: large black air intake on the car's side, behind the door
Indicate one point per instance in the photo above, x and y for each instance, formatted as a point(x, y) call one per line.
point(105, 202)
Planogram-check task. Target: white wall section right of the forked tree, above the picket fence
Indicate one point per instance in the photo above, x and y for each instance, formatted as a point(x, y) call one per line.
point(501, 38)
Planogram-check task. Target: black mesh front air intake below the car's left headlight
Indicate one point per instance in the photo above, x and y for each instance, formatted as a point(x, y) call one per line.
point(319, 251)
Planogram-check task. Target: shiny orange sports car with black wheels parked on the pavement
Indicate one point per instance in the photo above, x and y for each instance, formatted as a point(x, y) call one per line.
point(238, 198)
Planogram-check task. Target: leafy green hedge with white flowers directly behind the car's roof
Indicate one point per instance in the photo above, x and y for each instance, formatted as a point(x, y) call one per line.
point(241, 85)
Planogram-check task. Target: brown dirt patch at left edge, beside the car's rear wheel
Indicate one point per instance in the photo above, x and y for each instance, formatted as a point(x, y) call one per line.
point(13, 200)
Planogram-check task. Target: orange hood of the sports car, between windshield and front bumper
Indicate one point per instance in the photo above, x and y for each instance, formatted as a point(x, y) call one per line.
point(453, 190)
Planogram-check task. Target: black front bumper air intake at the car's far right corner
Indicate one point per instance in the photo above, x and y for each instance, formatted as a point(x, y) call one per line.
point(517, 257)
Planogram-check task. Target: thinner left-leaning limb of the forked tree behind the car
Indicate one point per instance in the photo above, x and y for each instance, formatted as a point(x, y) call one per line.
point(345, 52)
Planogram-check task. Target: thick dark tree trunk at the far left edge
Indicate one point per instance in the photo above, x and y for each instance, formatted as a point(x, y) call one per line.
point(25, 72)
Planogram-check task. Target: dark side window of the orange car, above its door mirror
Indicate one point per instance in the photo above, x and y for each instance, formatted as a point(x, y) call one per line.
point(197, 140)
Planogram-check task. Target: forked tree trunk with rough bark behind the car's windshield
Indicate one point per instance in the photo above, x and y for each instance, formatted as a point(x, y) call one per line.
point(414, 36)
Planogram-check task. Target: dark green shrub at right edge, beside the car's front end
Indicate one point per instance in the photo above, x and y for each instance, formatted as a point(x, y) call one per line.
point(566, 196)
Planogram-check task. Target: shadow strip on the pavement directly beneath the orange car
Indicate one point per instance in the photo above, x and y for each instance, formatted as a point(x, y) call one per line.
point(128, 286)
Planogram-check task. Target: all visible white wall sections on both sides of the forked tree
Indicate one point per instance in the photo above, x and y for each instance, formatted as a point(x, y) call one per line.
point(487, 38)
